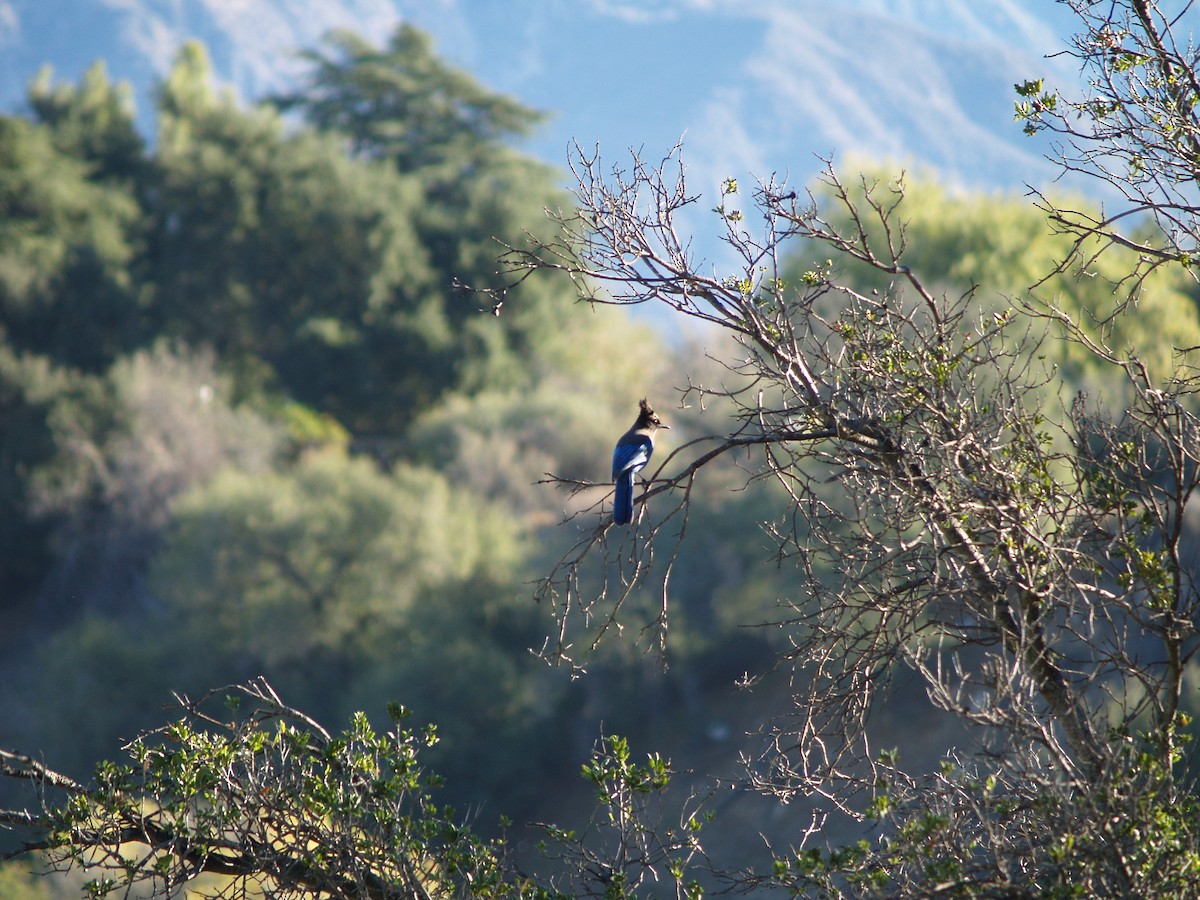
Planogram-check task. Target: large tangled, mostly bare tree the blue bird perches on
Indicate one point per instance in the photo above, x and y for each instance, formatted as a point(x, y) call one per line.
point(957, 513)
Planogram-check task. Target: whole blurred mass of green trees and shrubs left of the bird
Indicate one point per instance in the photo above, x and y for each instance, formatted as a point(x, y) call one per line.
point(254, 421)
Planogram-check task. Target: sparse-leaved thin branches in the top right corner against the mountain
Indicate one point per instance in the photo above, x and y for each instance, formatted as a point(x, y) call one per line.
point(1135, 129)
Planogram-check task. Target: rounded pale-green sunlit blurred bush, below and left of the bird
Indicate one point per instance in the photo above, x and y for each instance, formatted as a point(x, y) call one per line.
point(328, 559)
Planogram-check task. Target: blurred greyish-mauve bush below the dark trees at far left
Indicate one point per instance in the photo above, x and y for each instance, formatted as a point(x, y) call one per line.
point(159, 423)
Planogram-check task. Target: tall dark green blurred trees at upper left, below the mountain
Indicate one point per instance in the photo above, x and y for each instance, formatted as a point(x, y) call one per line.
point(321, 281)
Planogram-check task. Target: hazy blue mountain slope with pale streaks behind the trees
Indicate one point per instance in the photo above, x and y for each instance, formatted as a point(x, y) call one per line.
point(754, 87)
